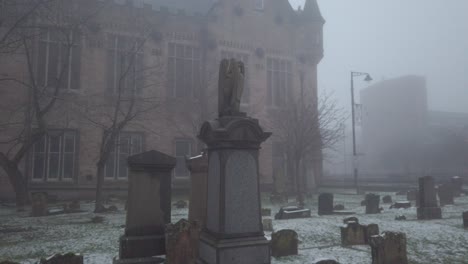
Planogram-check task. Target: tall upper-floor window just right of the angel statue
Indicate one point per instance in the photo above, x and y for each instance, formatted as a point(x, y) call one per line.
point(279, 81)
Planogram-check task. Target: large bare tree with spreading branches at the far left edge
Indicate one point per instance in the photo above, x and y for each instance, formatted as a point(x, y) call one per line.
point(26, 120)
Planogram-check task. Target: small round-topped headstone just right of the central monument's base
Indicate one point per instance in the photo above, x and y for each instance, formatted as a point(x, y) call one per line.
point(284, 243)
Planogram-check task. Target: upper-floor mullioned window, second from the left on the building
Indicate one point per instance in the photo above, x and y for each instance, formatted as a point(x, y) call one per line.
point(124, 65)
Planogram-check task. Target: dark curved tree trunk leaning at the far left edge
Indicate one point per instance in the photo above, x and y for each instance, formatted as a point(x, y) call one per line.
point(17, 181)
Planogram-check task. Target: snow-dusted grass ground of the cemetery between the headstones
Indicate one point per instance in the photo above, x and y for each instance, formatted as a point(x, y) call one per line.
point(26, 239)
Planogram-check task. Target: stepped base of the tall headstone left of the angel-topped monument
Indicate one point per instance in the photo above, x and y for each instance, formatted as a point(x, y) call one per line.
point(132, 247)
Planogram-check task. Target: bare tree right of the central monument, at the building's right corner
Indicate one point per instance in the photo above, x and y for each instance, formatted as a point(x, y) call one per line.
point(306, 126)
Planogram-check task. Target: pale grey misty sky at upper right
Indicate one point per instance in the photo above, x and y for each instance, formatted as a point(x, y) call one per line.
point(391, 38)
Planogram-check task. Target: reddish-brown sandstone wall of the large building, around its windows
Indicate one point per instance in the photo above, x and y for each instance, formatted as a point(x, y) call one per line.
point(274, 32)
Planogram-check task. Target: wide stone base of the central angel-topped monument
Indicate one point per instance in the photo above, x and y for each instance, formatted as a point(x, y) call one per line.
point(251, 250)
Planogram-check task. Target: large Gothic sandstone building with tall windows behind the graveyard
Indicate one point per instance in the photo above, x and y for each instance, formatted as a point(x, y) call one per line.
point(180, 44)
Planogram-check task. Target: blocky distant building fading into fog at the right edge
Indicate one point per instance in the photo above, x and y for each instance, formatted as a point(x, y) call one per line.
point(402, 138)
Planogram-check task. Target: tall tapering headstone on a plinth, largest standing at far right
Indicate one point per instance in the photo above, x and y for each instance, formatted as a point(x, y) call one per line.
point(428, 208)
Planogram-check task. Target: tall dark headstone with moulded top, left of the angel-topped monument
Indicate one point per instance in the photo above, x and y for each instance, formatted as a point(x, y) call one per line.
point(149, 207)
